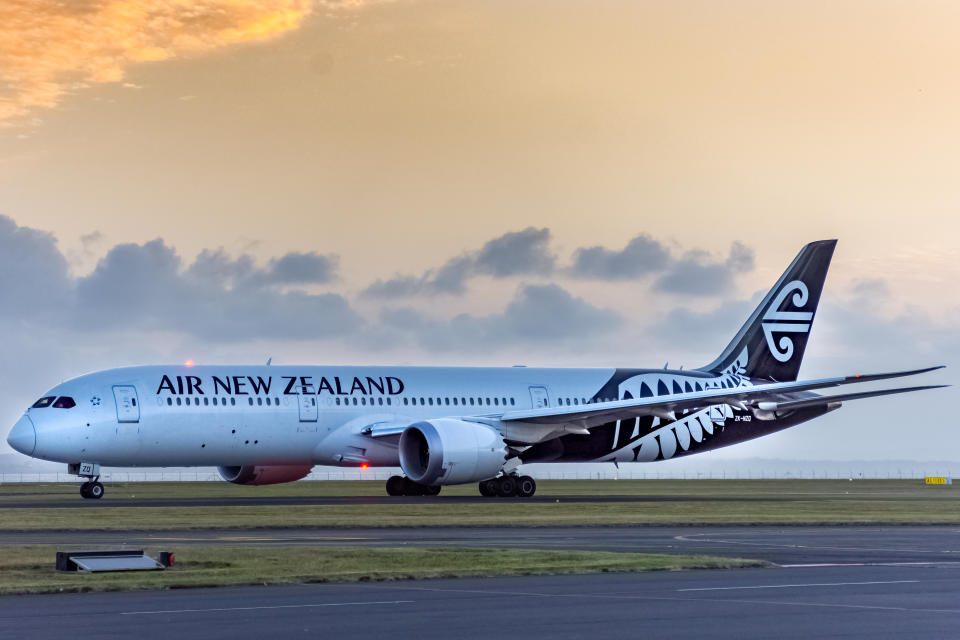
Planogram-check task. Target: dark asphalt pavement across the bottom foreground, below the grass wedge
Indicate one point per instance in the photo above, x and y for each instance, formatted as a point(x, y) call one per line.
point(823, 602)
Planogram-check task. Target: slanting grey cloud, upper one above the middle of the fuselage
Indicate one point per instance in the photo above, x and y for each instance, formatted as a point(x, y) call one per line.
point(515, 253)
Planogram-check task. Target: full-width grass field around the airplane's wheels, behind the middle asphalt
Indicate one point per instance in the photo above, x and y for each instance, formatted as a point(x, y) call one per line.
point(644, 502)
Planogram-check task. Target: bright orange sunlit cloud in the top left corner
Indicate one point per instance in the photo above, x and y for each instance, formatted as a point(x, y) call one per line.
point(49, 48)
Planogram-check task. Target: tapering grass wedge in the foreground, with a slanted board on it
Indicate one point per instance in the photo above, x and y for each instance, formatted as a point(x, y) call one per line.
point(29, 569)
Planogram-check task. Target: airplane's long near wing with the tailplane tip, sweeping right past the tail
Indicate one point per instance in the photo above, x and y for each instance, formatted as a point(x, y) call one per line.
point(775, 396)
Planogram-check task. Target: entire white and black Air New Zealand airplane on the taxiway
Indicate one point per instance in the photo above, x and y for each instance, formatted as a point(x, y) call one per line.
point(444, 425)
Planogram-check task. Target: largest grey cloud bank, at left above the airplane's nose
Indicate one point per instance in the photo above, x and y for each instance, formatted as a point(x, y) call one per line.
point(146, 287)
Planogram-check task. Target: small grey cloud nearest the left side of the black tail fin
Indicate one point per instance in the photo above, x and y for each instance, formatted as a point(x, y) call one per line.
point(697, 273)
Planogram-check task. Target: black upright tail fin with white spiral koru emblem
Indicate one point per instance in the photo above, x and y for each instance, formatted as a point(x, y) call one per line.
point(771, 343)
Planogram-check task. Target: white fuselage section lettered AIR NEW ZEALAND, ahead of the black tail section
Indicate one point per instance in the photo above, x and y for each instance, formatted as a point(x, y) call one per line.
point(240, 415)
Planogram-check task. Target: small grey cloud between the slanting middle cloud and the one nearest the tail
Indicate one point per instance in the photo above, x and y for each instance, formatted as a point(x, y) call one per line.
point(642, 255)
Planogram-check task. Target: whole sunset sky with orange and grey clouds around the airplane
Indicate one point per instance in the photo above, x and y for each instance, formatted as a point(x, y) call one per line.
point(561, 183)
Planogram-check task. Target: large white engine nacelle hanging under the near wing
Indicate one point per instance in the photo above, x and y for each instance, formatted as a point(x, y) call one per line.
point(450, 451)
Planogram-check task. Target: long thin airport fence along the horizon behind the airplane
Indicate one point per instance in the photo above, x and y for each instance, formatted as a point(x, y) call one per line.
point(540, 474)
